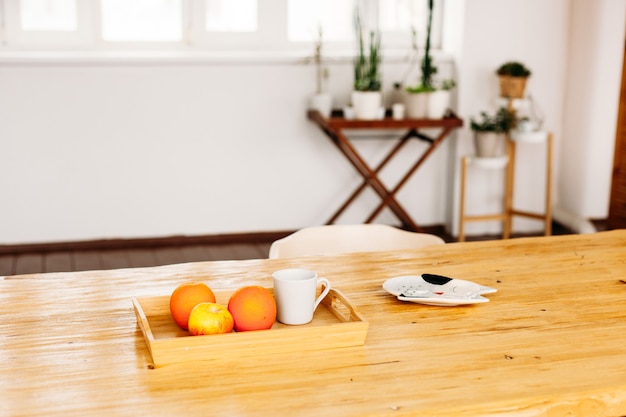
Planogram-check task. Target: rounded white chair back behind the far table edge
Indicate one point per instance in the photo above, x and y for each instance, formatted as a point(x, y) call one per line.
point(332, 239)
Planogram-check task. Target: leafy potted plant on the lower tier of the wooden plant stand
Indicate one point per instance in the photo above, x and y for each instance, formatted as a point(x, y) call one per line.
point(490, 132)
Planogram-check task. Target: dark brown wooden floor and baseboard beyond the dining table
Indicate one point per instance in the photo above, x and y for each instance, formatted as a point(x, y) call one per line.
point(131, 254)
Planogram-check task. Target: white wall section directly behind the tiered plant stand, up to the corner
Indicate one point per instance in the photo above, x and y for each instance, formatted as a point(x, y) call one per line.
point(535, 33)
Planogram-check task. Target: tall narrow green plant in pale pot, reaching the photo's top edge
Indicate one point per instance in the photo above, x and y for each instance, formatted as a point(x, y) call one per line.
point(417, 97)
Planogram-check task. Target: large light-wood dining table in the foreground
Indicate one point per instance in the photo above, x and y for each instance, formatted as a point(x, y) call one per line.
point(551, 342)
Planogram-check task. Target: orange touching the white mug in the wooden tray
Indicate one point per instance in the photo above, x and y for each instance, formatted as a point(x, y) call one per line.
point(253, 308)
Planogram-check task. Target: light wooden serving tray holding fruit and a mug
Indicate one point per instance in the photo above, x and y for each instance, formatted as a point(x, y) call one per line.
point(336, 323)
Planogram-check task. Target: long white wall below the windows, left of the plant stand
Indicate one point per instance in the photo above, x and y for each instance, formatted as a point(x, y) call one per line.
point(99, 150)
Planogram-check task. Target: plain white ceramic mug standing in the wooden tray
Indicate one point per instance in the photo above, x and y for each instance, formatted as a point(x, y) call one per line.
point(294, 291)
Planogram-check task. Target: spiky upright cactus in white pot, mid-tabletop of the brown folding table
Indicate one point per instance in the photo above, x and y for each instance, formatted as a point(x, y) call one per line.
point(367, 96)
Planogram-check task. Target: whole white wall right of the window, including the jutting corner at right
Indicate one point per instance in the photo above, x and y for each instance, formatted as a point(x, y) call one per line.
point(575, 50)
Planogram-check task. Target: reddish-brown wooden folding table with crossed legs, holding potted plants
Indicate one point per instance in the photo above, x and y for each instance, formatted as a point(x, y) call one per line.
point(335, 126)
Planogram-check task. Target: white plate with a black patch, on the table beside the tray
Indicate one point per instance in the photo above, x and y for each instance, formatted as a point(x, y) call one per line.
point(437, 290)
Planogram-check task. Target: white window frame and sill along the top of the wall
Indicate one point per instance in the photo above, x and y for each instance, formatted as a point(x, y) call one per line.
point(270, 39)
